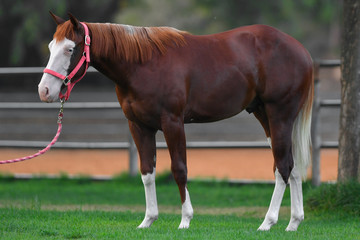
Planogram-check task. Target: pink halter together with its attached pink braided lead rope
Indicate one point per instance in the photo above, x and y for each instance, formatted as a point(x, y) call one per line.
point(63, 98)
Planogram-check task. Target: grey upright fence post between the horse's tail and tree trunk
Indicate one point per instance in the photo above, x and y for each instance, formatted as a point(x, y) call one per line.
point(315, 136)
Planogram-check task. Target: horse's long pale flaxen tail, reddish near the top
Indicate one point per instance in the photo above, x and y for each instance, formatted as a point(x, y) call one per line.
point(301, 135)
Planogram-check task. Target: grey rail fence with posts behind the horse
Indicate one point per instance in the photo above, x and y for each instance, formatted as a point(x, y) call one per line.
point(133, 169)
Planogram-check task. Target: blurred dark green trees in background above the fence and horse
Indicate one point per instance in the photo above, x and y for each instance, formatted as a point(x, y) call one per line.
point(26, 27)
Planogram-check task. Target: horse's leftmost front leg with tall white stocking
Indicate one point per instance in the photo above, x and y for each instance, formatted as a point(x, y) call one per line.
point(144, 139)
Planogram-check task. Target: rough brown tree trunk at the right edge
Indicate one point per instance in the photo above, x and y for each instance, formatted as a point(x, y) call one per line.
point(349, 137)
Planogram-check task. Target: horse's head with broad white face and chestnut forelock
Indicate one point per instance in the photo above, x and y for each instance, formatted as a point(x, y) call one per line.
point(65, 52)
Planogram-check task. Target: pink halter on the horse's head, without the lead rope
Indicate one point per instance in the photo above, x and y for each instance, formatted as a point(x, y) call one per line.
point(67, 79)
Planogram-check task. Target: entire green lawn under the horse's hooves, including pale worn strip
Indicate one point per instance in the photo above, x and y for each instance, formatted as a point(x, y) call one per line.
point(38, 209)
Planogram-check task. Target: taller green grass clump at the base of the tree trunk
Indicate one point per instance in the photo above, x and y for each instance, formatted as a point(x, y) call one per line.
point(340, 197)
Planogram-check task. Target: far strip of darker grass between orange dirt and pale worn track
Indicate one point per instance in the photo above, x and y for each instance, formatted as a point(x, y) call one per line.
point(125, 190)
